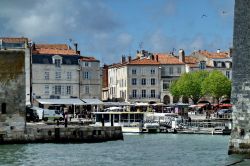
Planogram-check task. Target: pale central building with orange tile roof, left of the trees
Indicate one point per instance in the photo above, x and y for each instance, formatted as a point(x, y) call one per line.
point(145, 78)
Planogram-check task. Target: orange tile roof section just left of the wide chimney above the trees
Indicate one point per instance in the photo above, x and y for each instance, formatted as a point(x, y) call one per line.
point(168, 59)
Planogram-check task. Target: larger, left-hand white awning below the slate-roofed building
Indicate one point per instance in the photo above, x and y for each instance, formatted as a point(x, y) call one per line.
point(62, 101)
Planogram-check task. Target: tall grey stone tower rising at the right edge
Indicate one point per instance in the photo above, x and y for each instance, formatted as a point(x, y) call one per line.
point(240, 136)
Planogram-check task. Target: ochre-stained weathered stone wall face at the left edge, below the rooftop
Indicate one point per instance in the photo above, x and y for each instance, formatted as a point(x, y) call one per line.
point(12, 93)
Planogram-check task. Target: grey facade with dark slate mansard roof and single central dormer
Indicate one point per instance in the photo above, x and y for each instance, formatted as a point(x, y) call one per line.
point(55, 76)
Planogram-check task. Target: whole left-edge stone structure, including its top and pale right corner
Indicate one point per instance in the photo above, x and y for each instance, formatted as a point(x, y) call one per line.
point(14, 86)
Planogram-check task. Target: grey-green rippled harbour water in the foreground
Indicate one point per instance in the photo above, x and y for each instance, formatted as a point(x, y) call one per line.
point(136, 150)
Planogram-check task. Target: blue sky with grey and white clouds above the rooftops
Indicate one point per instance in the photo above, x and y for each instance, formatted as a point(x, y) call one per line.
point(108, 29)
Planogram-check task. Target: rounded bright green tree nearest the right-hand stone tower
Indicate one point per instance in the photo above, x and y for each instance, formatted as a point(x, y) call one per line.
point(216, 85)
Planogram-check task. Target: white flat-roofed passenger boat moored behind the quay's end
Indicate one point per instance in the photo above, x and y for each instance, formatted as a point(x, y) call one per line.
point(131, 122)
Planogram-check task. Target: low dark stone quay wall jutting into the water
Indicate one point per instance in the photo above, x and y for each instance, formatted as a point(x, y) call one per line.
point(60, 134)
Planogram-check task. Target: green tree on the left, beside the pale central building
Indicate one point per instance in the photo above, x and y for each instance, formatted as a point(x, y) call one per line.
point(189, 85)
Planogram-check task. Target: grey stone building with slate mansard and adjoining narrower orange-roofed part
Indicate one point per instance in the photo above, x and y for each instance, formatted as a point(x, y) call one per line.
point(59, 72)
